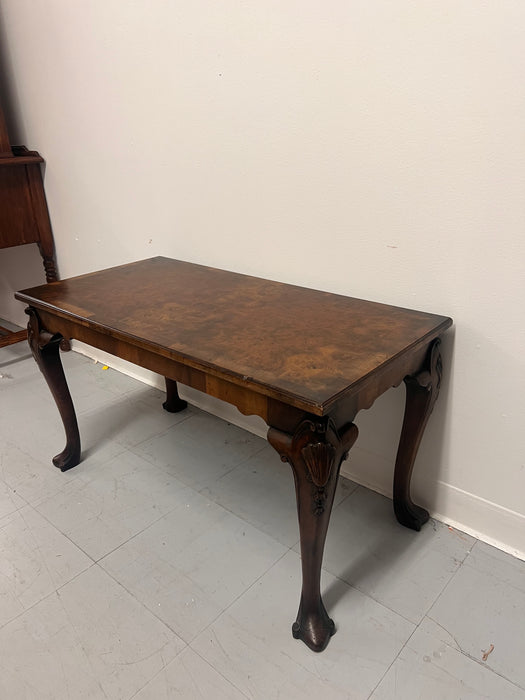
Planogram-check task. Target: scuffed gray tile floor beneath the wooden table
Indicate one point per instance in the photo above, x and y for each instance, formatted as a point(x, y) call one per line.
point(166, 565)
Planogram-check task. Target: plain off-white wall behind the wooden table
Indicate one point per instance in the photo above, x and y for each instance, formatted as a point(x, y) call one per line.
point(368, 147)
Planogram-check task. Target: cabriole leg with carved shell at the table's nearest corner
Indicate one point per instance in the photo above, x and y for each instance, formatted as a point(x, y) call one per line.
point(315, 452)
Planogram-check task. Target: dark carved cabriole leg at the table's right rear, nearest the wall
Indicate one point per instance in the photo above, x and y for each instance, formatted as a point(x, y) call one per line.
point(421, 393)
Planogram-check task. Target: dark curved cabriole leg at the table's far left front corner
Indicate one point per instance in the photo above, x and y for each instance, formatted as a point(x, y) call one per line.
point(45, 349)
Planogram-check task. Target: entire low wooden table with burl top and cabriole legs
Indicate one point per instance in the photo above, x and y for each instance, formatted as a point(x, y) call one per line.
point(305, 361)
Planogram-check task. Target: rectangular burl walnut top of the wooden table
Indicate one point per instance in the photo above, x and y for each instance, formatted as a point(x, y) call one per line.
point(299, 345)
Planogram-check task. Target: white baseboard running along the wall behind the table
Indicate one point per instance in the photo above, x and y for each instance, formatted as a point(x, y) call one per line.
point(485, 520)
